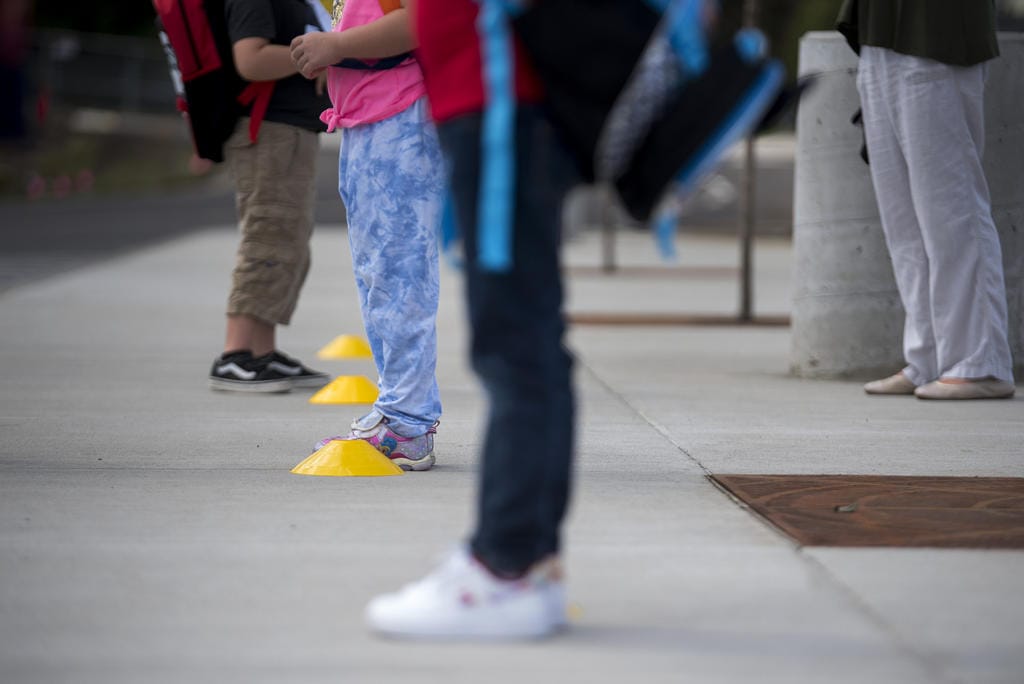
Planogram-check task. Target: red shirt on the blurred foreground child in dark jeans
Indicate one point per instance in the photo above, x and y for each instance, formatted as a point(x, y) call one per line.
point(450, 57)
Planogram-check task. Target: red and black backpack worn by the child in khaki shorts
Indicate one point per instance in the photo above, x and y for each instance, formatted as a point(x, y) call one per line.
point(211, 94)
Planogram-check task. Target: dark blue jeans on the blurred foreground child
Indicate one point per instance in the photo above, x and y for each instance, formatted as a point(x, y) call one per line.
point(518, 349)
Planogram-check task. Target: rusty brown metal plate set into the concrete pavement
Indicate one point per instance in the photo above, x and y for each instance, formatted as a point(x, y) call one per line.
point(888, 511)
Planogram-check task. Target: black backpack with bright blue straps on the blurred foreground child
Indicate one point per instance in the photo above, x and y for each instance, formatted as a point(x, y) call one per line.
point(654, 111)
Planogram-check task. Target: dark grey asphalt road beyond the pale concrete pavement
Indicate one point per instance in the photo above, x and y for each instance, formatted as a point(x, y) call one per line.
point(42, 239)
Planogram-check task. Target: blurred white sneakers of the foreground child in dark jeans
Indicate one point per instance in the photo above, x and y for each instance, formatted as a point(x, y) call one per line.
point(463, 601)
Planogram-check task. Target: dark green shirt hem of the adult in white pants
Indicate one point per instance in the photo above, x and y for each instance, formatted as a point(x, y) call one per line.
point(955, 32)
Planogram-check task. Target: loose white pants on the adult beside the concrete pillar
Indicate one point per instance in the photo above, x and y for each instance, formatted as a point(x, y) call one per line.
point(925, 127)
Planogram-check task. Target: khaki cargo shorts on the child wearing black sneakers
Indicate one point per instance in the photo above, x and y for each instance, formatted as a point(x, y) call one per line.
point(275, 193)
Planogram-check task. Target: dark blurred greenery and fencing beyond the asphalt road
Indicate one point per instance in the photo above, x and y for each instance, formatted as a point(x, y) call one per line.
point(89, 107)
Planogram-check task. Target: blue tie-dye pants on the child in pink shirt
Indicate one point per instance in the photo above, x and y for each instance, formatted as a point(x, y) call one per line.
point(392, 179)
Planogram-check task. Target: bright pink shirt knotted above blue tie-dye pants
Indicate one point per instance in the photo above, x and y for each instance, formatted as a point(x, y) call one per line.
point(363, 97)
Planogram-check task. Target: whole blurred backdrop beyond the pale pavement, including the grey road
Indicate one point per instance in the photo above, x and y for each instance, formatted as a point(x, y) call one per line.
point(88, 116)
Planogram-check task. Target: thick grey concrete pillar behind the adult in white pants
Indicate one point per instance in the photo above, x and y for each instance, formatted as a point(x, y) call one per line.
point(847, 317)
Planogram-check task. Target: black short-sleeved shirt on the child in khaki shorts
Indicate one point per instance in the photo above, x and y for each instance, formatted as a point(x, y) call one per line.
point(295, 101)
